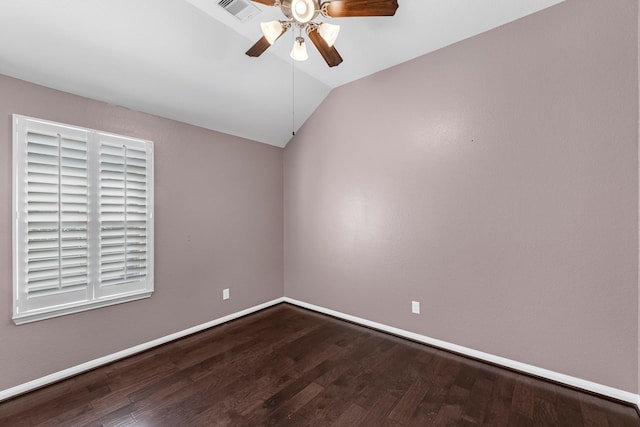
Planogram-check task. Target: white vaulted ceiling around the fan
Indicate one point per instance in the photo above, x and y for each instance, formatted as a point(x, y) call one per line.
point(184, 59)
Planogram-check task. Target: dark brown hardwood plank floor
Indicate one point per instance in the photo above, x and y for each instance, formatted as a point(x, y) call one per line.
point(288, 366)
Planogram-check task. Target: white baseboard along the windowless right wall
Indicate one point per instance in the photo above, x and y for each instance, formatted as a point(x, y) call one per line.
point(600, 389)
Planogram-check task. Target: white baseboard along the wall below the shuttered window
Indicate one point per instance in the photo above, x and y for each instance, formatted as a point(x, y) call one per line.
point(75, 370)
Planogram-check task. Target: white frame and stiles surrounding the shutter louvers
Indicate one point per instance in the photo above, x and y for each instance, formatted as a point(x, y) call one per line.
point(96, 296)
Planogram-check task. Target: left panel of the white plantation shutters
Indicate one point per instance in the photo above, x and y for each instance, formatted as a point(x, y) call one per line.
point(53, 218)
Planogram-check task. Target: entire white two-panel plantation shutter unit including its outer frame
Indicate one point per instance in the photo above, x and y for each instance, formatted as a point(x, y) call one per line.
point(83, 231)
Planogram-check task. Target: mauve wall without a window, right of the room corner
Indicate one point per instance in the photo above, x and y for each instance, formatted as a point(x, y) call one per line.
point(496, 182)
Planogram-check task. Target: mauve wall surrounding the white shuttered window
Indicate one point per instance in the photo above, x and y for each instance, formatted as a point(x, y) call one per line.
point(218, 206)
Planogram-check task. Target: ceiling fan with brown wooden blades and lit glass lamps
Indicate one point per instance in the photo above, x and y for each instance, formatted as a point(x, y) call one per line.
point(300, 13)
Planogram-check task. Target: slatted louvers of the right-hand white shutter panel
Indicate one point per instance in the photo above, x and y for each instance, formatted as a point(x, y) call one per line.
point(123, 209)
